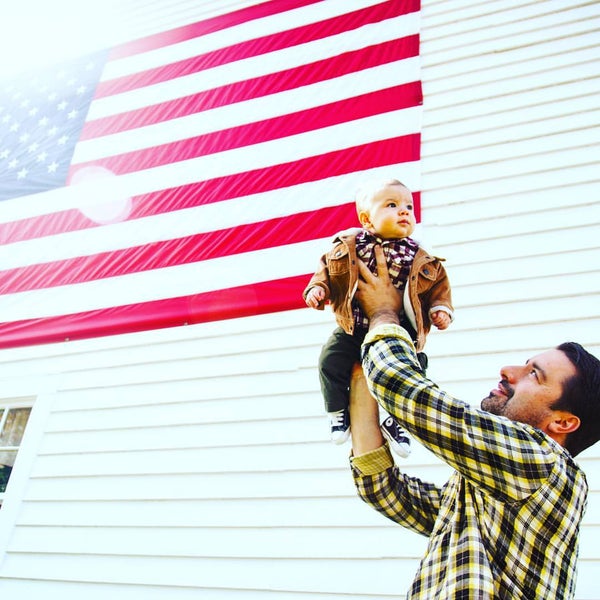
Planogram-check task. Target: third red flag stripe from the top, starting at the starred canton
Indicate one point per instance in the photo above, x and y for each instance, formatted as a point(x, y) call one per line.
point(330, 68)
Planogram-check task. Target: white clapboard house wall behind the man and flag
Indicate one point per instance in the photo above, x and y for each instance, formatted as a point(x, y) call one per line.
point(193, 461)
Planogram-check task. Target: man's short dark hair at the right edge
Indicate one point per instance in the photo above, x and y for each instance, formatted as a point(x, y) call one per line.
point(581, 396)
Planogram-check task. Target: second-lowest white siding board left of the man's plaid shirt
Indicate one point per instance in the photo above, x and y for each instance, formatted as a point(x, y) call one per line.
point(285, 575)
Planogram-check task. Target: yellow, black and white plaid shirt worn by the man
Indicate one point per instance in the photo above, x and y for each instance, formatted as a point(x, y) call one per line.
point(506, 524)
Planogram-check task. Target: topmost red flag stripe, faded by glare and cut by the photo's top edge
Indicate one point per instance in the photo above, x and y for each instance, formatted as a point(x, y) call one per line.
point(188, 32)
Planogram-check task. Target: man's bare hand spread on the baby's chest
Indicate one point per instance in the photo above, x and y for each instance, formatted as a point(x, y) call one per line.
point(376, 294)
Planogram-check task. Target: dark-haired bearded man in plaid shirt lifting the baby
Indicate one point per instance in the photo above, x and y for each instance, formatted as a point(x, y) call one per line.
point(506, 524)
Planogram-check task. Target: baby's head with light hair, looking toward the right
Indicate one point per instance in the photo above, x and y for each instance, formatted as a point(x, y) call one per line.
point(391, 214)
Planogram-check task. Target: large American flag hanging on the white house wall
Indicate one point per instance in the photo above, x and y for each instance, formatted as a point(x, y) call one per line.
point(196, 174)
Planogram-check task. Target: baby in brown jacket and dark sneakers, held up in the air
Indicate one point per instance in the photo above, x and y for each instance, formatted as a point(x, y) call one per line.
point(386, 212)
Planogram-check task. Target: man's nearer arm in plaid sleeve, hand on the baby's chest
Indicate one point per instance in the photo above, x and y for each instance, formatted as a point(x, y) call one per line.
point(470, 440)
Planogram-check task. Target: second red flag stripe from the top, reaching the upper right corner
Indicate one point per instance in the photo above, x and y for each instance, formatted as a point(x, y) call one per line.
point(256, 47)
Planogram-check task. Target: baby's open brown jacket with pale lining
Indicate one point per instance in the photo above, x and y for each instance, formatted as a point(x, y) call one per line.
point(427, 289)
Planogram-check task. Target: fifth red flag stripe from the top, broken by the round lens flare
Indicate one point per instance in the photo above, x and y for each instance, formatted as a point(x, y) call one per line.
point(367, 156)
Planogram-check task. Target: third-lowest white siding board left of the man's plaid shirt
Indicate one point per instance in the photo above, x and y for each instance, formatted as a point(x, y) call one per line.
point(222, 542)
